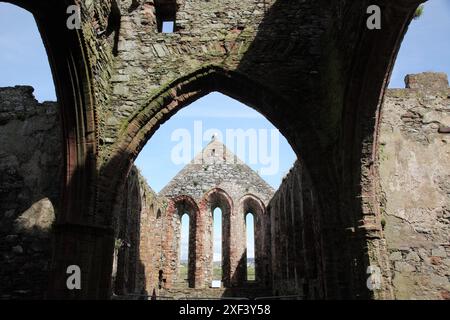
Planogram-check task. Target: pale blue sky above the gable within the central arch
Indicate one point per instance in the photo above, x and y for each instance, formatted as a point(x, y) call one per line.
point(215, 117)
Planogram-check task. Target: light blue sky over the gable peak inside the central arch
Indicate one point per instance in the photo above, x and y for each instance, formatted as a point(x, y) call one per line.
point(218, 113)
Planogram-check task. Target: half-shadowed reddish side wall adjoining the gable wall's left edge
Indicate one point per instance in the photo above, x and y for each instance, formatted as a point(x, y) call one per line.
point(138, 245)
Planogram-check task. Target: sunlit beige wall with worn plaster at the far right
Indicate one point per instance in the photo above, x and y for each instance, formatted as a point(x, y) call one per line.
point(414, 169)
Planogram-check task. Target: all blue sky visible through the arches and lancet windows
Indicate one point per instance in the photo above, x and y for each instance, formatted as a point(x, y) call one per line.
point(23, 61)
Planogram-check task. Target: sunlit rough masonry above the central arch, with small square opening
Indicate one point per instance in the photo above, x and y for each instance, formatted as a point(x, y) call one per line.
point(148, 60)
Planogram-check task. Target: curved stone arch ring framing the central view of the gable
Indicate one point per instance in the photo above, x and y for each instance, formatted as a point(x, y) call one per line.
point(180, 93)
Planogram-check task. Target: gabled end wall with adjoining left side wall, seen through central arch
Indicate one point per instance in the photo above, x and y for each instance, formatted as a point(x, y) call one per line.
point(215, 178)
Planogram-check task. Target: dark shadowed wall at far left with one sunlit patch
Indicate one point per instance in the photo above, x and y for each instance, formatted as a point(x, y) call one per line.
point(30, 182)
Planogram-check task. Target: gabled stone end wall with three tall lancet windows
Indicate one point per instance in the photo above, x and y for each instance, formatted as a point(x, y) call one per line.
point(216, 178)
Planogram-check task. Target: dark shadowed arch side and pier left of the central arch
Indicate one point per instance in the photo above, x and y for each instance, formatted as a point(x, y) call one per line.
point(77, 230)
